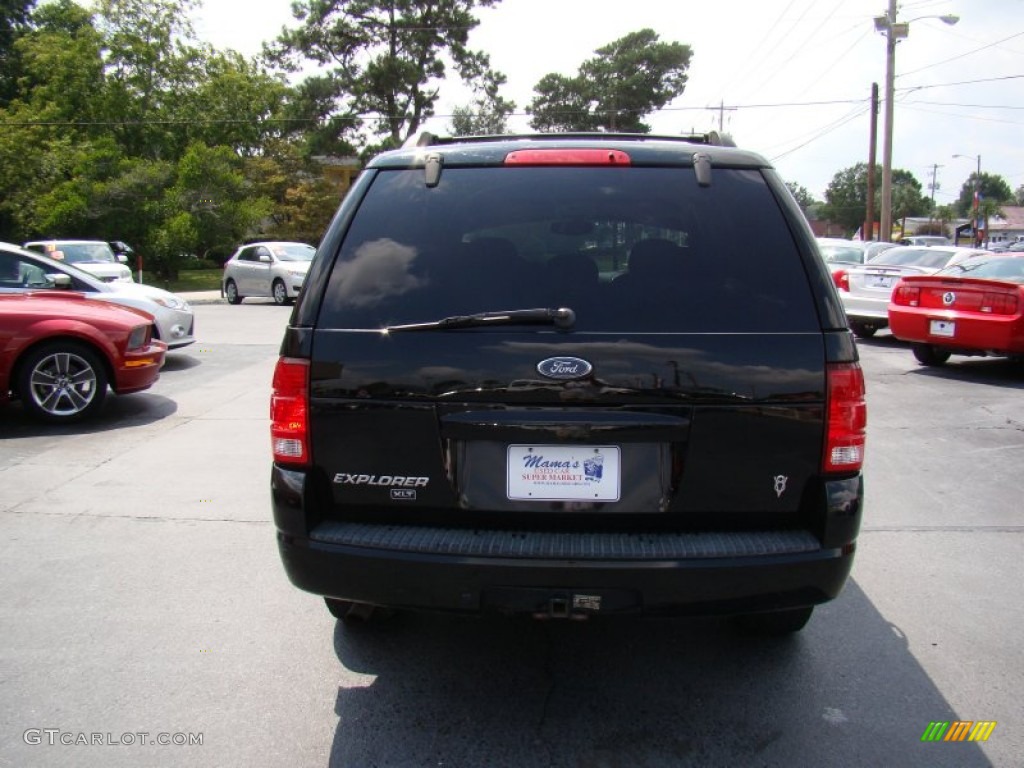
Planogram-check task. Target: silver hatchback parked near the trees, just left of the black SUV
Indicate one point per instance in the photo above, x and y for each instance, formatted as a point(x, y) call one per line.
point(275, 270)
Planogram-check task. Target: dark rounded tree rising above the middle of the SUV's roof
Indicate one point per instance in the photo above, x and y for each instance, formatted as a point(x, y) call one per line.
point(626, 81)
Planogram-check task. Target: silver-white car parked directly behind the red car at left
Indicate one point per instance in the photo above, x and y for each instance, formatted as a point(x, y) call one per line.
point(23, 271)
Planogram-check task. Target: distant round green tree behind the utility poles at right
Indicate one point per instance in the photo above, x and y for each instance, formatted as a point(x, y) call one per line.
point(846, 198)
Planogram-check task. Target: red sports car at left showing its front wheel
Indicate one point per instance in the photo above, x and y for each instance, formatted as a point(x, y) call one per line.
point(59, 353)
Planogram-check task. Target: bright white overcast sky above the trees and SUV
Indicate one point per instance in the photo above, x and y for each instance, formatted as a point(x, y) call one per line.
point(794, 76)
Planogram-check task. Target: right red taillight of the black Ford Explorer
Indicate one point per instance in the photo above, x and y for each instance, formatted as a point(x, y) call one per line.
point(847, 414)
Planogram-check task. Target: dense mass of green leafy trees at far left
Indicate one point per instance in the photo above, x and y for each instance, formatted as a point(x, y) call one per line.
point(122, 129)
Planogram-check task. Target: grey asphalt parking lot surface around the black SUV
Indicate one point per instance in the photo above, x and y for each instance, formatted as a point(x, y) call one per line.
point(143, 593)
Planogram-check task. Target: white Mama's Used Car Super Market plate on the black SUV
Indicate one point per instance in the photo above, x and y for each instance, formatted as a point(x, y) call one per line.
point(564, 474)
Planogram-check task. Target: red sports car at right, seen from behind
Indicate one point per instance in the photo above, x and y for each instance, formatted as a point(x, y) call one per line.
point(973, 308)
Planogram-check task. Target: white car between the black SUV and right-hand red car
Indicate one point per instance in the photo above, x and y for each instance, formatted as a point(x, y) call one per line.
point(866, 290)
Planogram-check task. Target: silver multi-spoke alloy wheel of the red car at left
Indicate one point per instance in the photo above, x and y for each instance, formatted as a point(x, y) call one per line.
point(63, 382)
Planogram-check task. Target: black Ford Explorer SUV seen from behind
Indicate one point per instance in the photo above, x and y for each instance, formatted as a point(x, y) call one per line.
point(570, 375)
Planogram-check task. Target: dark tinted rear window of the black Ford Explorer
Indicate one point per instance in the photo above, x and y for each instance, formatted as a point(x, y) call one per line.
point(636, 249)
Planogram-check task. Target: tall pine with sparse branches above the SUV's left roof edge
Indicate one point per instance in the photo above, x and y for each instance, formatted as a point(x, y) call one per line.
point(382, 61)
